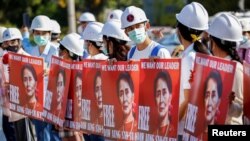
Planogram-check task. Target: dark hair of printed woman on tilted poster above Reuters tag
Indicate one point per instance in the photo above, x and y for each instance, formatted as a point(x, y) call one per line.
point(215, 75)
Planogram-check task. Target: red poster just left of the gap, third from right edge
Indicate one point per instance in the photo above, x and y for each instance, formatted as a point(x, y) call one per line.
point(159, 99)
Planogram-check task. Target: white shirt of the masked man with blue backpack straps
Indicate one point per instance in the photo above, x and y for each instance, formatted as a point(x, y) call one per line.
point(145, 53)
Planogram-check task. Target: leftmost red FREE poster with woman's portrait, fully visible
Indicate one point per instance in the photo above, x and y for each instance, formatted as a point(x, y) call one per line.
point(26, 86)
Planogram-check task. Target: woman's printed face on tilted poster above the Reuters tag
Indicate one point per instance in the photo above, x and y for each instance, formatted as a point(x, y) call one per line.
point(212, 100)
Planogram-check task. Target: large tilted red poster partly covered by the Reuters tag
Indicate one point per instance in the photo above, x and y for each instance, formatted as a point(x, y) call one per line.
point(209, 95)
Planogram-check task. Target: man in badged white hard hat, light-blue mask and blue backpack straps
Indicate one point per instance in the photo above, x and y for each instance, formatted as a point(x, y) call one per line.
point(136, 24)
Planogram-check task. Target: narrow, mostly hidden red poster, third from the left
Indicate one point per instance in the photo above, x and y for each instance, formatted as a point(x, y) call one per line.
point(73, 118)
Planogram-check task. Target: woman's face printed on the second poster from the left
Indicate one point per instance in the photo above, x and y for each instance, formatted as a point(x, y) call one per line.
point(60, 88)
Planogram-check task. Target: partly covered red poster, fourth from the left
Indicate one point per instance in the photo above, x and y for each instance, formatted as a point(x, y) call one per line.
point(92, 97)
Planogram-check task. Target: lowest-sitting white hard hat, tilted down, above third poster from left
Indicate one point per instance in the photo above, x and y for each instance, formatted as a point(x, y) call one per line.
point(73, 43)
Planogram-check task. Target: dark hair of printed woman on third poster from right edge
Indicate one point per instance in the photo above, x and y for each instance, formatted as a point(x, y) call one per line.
point(165, 76)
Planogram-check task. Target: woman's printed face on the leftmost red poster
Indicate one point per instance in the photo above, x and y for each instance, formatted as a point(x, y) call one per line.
point(29, 82)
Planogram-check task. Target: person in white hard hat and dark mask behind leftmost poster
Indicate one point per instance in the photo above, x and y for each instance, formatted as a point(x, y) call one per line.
point(24, 130)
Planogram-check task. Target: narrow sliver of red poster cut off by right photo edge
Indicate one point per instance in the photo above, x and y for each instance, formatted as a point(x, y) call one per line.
point(246, 93)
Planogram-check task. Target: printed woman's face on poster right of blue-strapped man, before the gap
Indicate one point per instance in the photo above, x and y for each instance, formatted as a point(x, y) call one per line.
point(162, 98)
